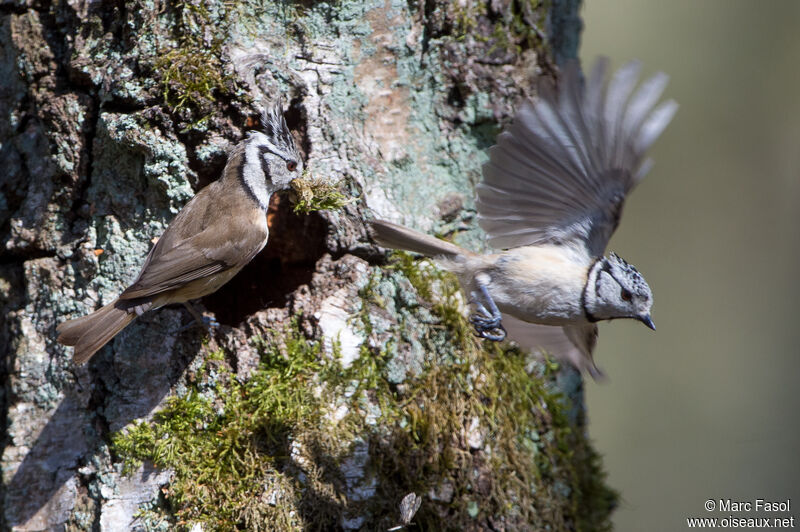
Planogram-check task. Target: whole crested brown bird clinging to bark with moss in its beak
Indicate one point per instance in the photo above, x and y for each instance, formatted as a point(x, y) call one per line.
point(214, 236)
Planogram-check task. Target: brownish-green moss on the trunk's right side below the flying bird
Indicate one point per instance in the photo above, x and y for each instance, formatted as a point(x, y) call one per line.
point(528, 466)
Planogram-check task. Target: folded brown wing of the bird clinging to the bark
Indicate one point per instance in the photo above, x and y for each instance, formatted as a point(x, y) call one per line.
point(231, 242)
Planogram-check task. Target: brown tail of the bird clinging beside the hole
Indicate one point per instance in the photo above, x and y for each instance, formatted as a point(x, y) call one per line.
point(89, 333)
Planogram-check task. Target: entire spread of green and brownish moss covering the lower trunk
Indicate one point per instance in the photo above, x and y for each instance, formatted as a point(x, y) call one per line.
point(480, 433)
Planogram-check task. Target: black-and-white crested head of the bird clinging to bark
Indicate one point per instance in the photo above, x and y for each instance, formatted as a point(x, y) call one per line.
point(272, 160)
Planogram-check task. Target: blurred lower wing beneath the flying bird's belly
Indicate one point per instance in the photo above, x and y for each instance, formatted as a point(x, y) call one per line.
point(573, 343)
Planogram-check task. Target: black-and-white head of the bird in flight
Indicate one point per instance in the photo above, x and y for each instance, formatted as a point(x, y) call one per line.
point(615, 289)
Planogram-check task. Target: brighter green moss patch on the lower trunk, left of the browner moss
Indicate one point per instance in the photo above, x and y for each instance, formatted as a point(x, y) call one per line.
point(229, 442)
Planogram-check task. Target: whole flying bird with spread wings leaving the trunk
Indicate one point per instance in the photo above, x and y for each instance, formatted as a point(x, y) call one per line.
point(551, 196)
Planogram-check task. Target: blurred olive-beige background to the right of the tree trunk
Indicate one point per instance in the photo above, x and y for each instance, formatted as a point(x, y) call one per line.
point(707, 407)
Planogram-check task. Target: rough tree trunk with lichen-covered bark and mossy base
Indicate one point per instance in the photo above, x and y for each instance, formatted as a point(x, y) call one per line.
point(113, 114)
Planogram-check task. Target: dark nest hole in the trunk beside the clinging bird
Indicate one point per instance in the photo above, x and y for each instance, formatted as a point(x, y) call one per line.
point(296, 243)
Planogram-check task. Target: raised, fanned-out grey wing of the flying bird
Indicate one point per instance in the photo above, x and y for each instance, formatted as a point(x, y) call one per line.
point(563, 168)
